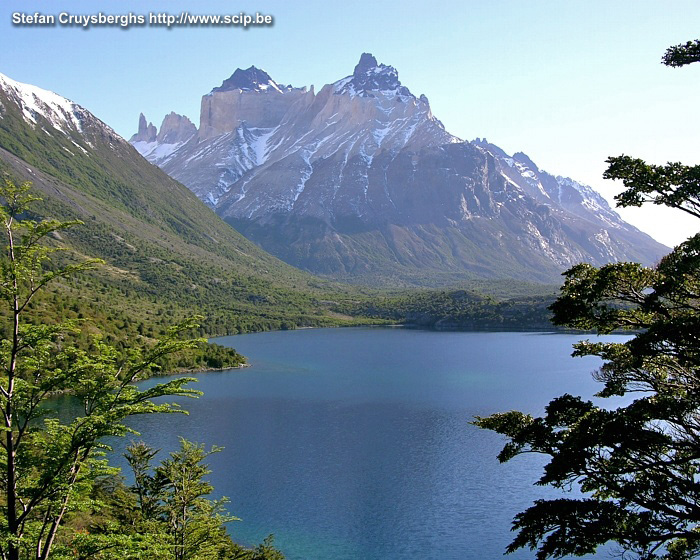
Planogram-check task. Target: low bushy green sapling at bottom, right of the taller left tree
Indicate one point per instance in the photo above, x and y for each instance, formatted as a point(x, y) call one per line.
point(165, 514)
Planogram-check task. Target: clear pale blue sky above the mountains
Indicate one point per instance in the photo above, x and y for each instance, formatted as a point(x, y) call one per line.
point(569, 83)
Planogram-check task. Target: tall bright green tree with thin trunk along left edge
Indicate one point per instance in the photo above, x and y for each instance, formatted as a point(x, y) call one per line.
point(46, 462)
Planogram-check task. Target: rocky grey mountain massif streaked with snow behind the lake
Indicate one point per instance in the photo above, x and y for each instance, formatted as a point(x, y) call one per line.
point(361, 182)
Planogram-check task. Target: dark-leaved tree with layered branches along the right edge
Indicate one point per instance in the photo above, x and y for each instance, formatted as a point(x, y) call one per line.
point(638, 466)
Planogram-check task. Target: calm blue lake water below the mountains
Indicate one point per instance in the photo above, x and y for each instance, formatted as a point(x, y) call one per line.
point(352, 444)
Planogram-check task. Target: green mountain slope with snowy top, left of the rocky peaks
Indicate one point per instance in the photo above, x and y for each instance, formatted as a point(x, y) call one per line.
point(168, 255)
